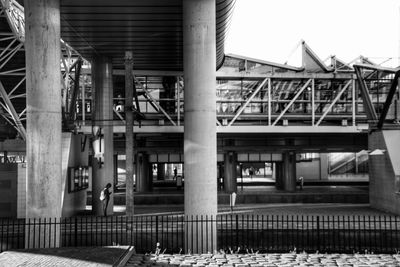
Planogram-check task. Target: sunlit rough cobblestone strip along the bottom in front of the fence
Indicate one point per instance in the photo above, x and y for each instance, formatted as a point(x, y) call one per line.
point(267, 260)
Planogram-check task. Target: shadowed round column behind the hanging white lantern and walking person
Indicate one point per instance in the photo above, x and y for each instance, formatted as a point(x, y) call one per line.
point(103, 114)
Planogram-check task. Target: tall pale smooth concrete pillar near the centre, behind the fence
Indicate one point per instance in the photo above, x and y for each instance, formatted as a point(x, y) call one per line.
point(200, 144)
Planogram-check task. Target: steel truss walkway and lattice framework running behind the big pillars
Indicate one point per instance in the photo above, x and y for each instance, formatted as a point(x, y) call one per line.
point(253, 96)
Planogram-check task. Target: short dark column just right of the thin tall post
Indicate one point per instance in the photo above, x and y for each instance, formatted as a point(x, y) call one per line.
point(144, 182)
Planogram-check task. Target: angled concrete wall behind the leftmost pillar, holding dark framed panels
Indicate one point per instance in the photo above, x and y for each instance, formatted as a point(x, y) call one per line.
point(73, 202)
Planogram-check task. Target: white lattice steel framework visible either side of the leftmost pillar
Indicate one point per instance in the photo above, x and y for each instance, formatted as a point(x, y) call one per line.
point(12, 65)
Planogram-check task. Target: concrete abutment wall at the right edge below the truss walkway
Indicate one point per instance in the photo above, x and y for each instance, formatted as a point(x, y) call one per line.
point(383, 171)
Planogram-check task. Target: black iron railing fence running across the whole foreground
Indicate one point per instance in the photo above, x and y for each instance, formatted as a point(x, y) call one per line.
point(237, 233)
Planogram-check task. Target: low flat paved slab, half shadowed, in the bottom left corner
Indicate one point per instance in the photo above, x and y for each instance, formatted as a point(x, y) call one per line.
point(65, 257)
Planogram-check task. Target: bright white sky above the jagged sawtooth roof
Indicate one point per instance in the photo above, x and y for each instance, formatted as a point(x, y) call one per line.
point(271, 29)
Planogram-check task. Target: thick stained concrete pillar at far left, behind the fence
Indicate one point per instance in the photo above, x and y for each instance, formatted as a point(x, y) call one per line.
point(43, 96)
